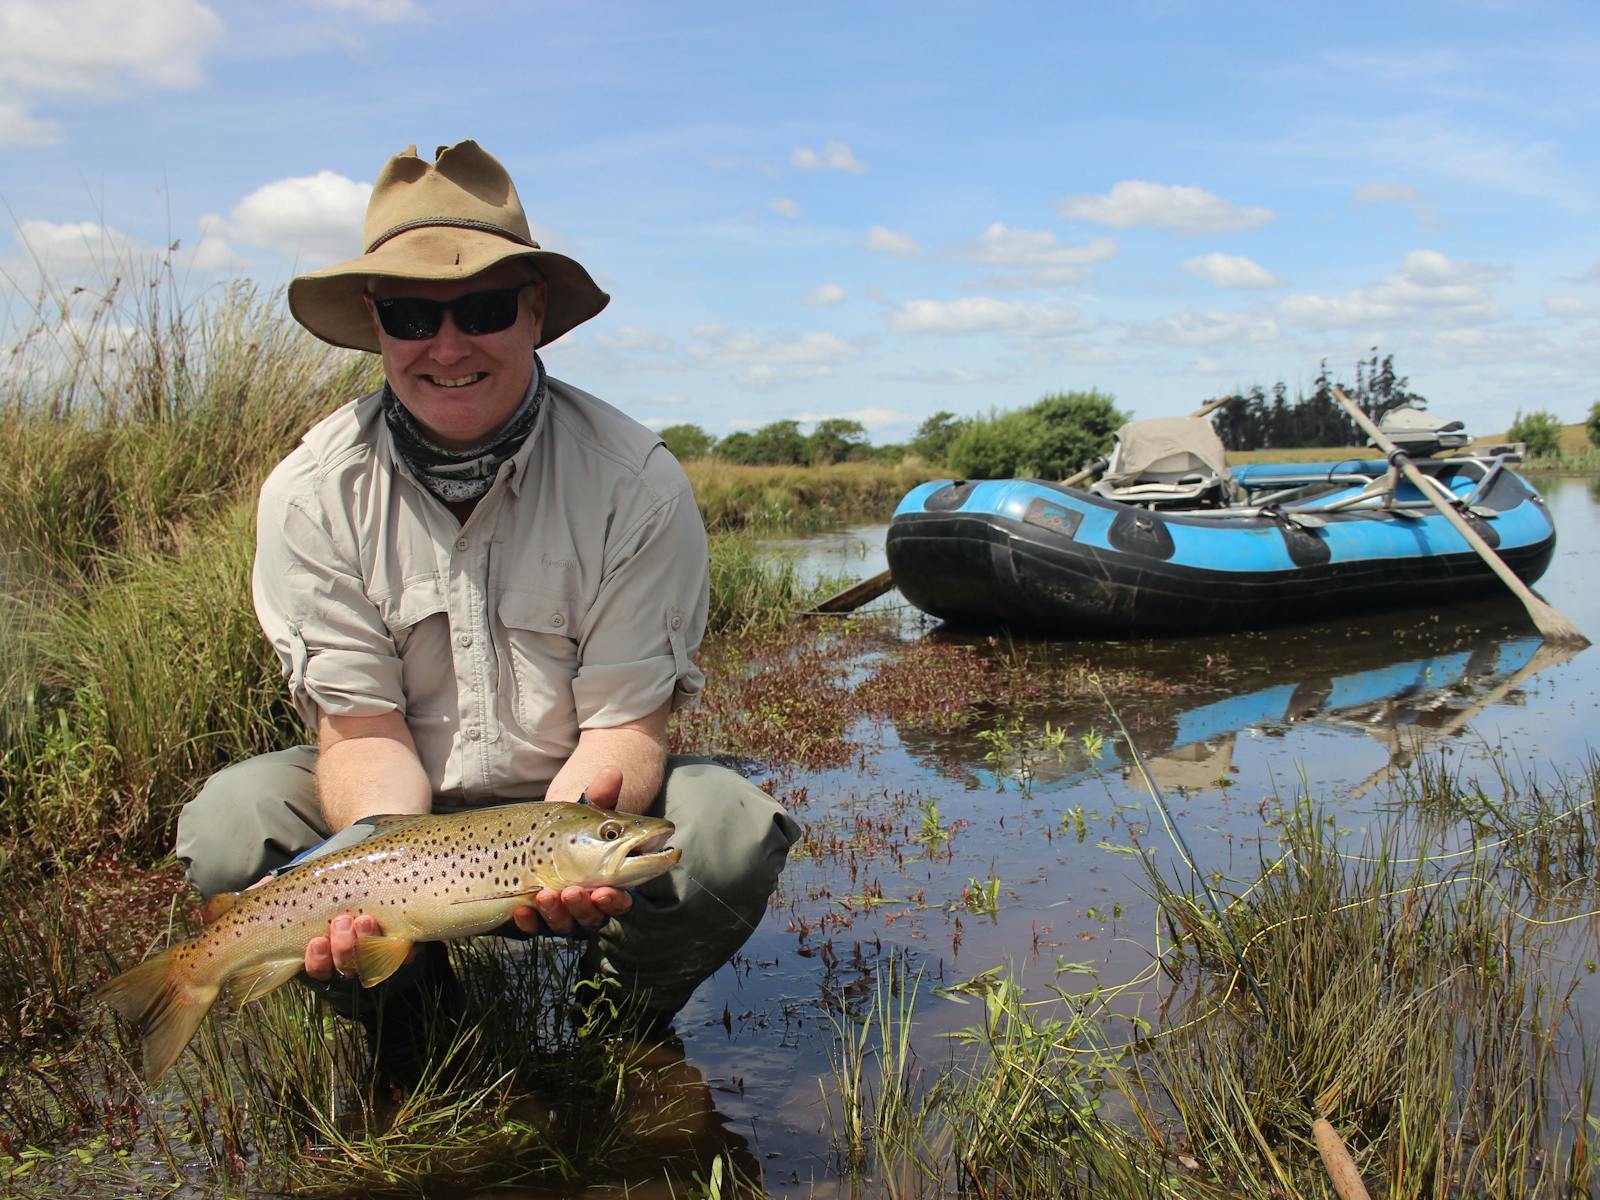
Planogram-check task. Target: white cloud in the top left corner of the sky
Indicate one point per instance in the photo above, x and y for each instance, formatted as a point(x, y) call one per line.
point(95, 49)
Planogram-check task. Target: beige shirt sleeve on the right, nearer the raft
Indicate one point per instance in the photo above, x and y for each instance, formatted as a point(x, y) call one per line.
point(641, 634)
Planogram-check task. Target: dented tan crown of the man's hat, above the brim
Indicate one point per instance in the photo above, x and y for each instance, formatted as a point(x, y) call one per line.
point(465, 186)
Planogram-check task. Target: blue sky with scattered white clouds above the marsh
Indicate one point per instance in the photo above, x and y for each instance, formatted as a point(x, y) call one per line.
point(879, 210)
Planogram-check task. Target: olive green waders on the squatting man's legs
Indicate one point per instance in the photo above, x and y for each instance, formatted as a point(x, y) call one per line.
point(258, 815)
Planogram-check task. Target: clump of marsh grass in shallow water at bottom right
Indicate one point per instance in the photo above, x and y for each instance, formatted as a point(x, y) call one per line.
point(1420, 1001)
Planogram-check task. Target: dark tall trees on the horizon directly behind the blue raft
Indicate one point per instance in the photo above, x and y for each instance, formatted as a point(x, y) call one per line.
point(1268, 420)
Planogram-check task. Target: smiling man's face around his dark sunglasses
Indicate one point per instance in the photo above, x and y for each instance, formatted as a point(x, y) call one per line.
point(463, 388)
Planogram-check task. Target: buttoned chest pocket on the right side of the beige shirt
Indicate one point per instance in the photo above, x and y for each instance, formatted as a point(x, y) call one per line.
point(540, 662)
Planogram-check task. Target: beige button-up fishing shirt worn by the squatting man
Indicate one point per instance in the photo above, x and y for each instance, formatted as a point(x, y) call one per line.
point(574, 598)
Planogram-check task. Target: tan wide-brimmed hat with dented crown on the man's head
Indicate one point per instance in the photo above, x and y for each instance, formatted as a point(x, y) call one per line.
point(447, 220)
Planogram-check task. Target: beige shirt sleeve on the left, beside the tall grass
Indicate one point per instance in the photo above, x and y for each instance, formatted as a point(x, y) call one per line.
point(337, 652)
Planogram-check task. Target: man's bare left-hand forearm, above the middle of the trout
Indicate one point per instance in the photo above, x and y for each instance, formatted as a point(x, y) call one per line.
point(369, 766)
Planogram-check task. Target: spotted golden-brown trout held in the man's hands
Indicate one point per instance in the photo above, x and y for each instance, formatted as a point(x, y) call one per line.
point(423, 878)
